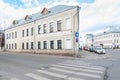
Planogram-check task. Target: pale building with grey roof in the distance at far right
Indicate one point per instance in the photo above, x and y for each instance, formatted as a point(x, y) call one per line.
point(108, 39)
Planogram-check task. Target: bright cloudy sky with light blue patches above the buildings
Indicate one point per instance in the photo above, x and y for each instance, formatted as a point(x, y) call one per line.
point(95, 15)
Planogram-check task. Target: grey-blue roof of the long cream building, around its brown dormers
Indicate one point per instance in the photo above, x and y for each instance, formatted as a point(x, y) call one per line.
point(36, 16)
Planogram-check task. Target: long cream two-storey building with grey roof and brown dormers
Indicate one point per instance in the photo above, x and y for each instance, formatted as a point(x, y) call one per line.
point(51, 30)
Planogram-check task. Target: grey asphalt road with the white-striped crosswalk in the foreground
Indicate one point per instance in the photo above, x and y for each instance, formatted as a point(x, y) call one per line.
point(44, 67)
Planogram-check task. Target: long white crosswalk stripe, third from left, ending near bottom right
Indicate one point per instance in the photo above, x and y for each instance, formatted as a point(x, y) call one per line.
point(77, 73)
